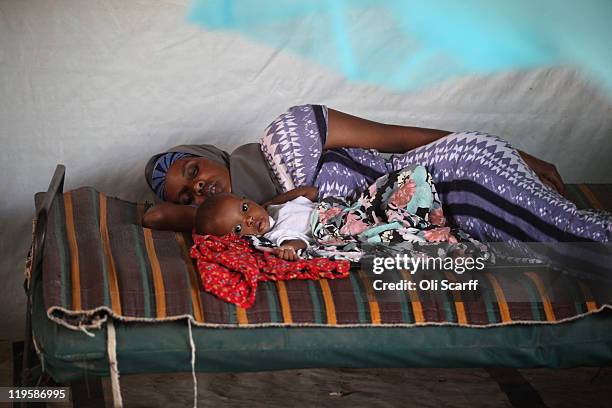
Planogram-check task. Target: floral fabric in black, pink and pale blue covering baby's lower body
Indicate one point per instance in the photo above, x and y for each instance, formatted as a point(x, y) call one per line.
point(400, 209)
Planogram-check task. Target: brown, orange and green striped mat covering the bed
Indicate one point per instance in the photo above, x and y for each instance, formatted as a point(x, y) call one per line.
point(99, 262)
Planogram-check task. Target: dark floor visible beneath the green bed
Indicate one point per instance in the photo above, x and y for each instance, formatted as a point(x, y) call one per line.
point(578, 387)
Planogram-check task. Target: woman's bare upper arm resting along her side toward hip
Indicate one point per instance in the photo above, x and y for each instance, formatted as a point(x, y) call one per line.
point(344, 130)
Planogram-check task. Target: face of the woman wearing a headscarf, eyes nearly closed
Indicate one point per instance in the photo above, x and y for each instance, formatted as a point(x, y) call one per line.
point(193, 179)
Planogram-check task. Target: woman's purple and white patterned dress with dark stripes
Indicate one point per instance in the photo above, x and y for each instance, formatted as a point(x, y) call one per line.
point(485, 186)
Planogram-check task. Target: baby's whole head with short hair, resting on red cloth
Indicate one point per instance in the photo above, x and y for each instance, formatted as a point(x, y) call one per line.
point(224, 213)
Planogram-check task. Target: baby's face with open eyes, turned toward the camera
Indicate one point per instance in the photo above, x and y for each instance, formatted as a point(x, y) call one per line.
point(240, 216)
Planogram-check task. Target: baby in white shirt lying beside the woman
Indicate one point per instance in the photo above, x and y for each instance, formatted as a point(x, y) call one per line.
point(284, 220)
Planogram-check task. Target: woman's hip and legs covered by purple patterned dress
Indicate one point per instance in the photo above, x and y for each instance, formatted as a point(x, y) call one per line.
point(488, 190)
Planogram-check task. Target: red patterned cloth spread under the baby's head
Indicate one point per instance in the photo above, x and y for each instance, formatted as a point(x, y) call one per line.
point(230, 268)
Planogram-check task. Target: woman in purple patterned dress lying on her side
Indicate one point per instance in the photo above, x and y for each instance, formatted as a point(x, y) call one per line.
point(488, 188)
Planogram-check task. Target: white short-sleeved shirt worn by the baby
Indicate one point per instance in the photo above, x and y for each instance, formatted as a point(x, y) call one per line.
point(290, 221)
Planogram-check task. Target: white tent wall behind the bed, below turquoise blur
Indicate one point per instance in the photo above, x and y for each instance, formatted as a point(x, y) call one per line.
point(100, 86)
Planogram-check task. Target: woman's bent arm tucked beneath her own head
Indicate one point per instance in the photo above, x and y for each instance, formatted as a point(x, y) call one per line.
point(170, 216)
